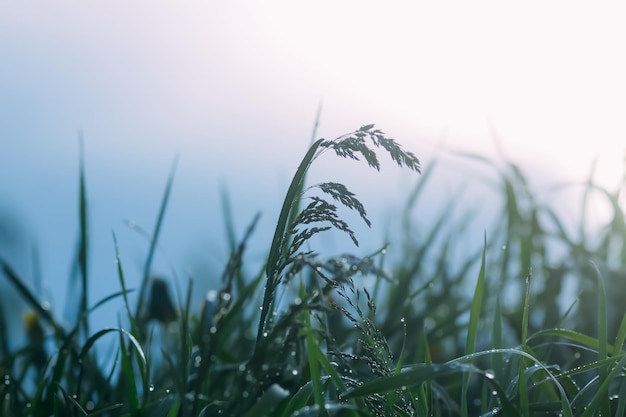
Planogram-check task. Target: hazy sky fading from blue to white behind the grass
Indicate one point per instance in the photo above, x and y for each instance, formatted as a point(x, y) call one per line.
point(232, 89)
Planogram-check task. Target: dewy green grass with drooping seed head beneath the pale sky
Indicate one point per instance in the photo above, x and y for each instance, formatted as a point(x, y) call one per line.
point(306, 336)
